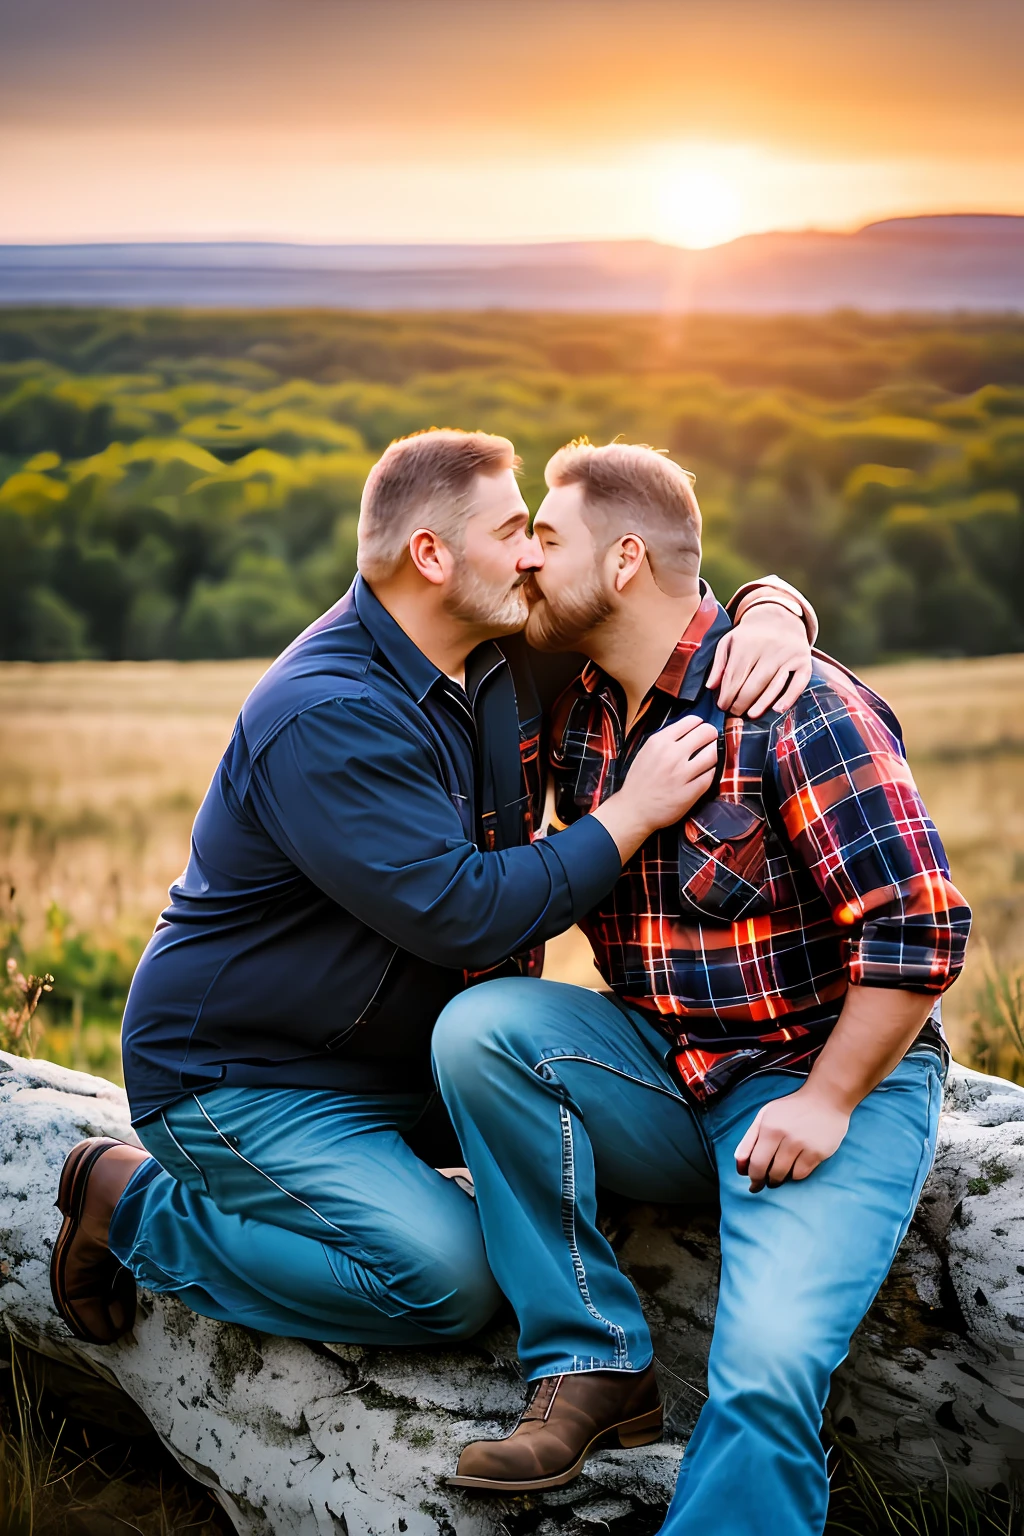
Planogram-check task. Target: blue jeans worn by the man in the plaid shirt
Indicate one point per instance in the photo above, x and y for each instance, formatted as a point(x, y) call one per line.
point(553, 1091)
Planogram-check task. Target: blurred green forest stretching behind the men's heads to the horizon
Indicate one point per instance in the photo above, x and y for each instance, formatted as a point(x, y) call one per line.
point(188, 485)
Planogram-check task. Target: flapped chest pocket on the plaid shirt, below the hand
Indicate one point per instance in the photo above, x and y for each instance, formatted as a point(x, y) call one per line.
point(724, 862)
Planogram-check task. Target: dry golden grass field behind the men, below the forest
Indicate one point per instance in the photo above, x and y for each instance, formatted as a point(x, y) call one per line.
point(102, 767)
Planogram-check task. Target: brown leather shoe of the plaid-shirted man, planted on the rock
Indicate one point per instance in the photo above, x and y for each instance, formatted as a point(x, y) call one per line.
point(566, 1420)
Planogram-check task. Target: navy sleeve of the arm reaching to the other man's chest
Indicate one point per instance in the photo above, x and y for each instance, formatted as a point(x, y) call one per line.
point(355, 799)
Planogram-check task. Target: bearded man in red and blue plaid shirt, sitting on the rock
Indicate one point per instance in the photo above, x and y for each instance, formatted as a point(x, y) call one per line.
point(770, 1038)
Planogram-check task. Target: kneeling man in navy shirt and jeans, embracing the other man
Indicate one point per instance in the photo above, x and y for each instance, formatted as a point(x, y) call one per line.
point(363, 855)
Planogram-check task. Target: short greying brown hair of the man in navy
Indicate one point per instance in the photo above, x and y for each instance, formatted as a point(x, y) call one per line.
point(423, 482)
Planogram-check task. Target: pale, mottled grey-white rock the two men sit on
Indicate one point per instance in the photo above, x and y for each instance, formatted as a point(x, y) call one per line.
point(332, 1440)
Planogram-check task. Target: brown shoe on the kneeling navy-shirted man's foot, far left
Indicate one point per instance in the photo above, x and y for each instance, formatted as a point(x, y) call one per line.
point(93, 1291)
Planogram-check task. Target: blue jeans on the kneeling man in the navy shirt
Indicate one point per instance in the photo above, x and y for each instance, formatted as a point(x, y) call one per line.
point(305, 1214)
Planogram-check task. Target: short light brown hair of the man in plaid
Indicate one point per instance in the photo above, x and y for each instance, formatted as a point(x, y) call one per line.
point(630, 488)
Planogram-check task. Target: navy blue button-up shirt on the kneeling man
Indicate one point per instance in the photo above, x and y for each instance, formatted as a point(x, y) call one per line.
point(363, 846)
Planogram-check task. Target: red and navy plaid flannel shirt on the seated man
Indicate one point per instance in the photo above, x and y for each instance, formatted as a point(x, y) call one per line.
point(814, 866)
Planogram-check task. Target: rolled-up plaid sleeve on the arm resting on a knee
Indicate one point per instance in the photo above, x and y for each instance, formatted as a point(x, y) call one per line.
point(857, 823)
